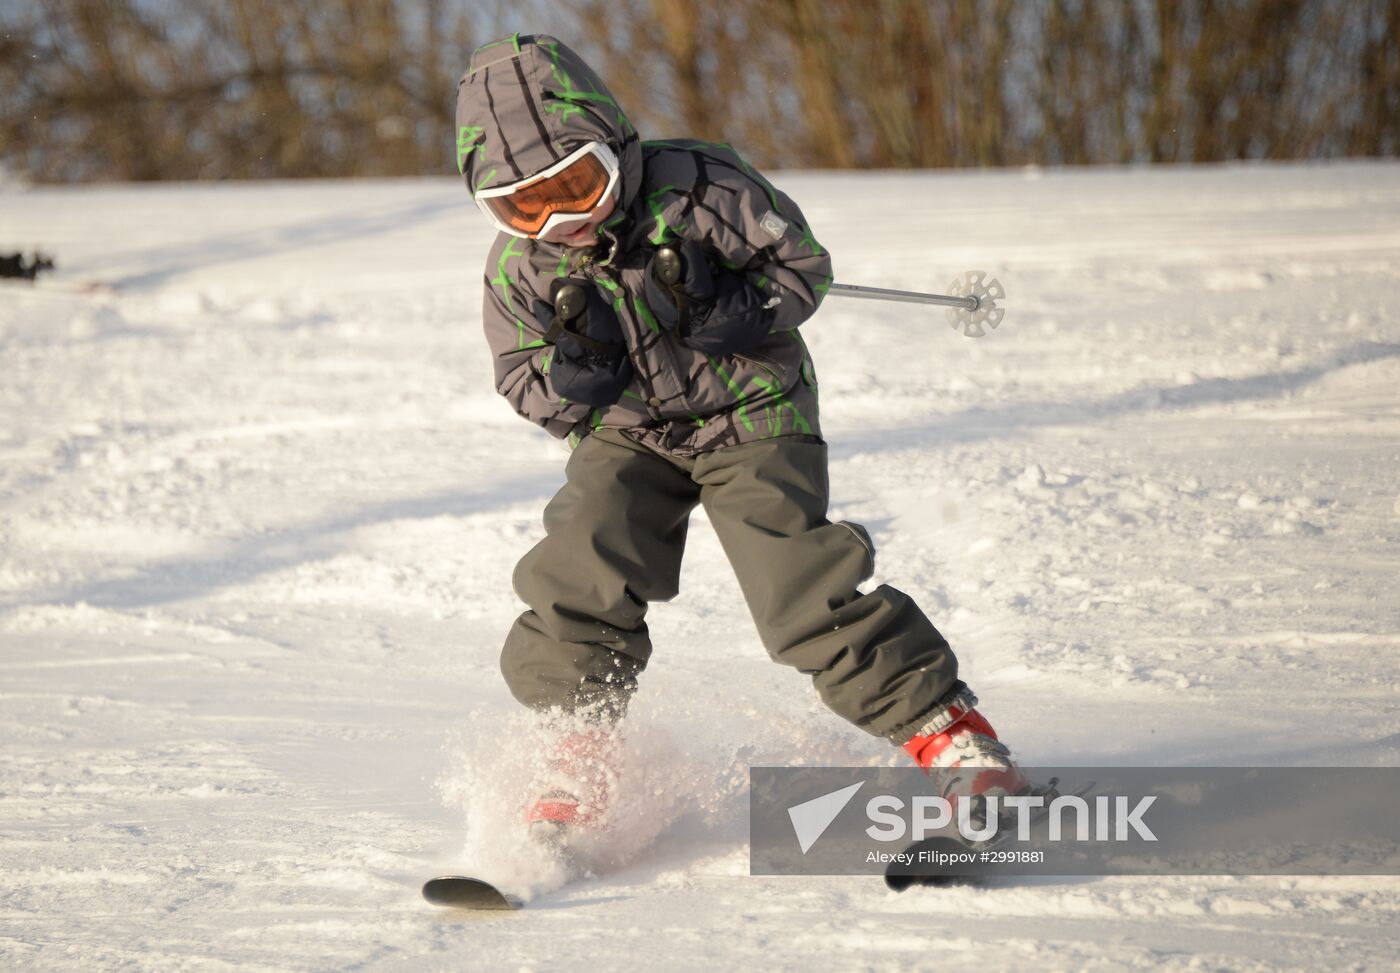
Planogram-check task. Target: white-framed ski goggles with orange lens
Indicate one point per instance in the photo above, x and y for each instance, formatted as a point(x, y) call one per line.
point(566, 192)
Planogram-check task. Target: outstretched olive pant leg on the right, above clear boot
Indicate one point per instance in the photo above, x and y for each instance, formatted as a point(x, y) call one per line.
point(874, 659)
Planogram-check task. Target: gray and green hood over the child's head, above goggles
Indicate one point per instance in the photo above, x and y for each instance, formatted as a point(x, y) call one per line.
point(526, 103)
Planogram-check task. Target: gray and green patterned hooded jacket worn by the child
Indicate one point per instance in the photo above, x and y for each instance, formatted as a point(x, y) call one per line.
point(524, 104)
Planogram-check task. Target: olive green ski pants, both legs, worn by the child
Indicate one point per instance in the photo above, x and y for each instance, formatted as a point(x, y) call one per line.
point(615, 534)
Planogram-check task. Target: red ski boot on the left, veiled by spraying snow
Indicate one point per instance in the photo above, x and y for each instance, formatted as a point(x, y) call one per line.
point(576, 789)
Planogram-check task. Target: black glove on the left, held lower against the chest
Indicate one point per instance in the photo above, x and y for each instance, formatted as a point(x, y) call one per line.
point(591, 363)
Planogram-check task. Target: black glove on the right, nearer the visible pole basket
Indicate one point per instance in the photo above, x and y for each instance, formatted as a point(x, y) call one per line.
point(713, 311)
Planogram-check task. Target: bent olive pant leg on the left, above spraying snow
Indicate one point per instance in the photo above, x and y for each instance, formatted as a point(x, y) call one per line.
point(615, 534)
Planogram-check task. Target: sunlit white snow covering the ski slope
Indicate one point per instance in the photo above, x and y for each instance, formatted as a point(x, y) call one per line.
point(261, 507)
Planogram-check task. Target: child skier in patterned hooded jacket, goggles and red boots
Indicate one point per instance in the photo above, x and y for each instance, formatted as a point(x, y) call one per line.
point(643, 302)
